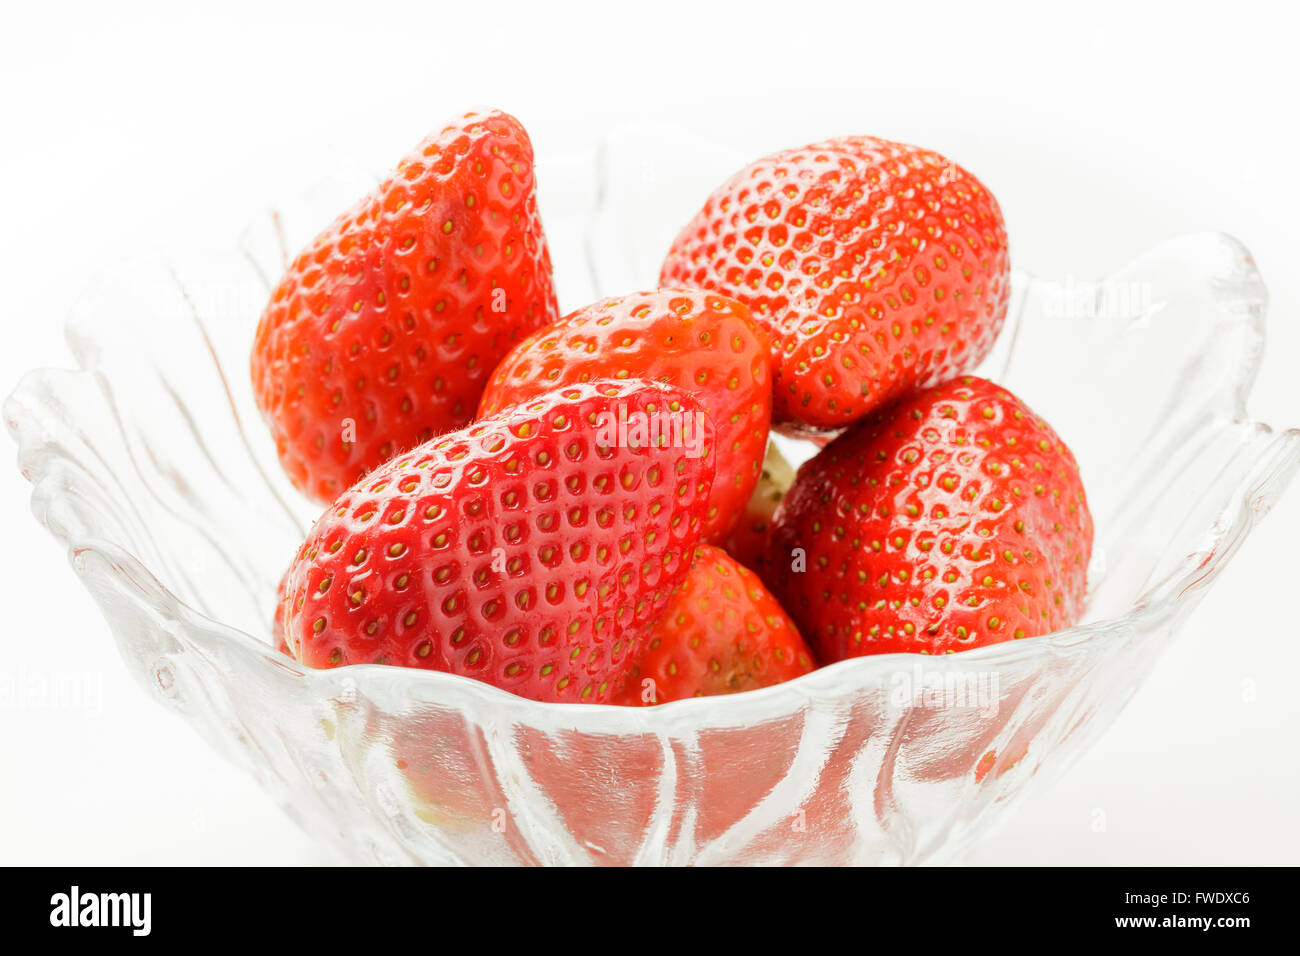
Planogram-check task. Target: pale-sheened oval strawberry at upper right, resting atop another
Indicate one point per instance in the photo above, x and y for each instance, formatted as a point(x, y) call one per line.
point(878, 267)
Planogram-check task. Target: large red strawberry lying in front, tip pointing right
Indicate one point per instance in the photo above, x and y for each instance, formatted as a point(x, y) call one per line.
point(530, 551)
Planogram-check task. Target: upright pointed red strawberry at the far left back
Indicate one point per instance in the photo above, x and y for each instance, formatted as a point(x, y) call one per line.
point(387, 327)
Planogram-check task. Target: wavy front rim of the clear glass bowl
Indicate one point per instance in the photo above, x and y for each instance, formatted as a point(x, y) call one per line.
point(1173, 595)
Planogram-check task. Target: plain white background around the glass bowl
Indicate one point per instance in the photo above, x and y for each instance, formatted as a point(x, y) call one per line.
point(1102, 132)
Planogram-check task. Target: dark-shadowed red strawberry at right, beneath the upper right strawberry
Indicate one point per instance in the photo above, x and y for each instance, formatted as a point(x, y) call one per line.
point(952, 520)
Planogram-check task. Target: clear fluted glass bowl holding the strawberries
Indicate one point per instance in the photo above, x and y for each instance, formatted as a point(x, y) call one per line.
point(151, 465)
